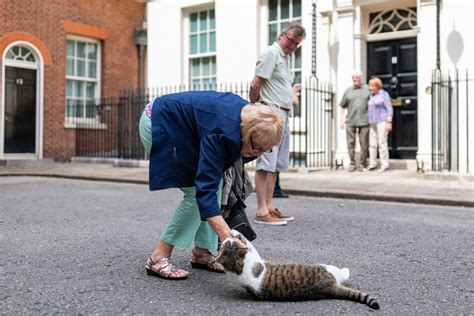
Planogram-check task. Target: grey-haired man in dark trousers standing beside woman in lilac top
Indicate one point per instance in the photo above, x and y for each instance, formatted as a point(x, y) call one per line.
point(354, 117)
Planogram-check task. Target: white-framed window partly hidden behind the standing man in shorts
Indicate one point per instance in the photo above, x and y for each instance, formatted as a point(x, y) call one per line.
point(281, 13)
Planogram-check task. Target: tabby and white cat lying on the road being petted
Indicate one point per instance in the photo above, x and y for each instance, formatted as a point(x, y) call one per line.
point(288, 282)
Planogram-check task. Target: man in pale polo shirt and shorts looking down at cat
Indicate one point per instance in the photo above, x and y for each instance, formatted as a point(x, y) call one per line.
point(272, 85)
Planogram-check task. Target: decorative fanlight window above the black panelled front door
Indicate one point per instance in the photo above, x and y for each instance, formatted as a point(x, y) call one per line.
point(392, 20)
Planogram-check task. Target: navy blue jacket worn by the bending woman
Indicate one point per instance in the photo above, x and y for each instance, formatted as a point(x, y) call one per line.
point(196, 136)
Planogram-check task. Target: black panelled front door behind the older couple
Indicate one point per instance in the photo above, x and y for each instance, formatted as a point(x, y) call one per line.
point(394, 62)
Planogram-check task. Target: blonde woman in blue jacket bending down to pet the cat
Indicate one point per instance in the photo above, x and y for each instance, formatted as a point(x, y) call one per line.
point(192, 138)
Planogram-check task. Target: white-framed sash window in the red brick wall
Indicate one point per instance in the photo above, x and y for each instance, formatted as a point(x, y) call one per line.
point(82, 78)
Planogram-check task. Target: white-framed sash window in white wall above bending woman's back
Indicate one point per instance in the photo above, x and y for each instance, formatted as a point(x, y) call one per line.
point(202, 50)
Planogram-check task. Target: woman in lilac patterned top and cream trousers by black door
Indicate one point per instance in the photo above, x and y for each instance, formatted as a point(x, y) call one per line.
point(380, 120)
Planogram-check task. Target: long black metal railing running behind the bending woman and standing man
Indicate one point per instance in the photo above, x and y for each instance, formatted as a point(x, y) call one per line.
point(111, 128)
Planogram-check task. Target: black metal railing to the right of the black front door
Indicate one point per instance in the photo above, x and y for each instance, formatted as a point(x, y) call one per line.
point(450, 117)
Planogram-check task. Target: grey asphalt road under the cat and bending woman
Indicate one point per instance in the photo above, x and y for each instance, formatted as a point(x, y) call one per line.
point(79, 247)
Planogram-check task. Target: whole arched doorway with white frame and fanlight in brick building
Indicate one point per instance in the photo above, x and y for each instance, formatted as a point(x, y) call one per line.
point(20, 111)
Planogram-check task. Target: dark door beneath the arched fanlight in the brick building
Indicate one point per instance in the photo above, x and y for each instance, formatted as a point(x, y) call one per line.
point(20, 111)
